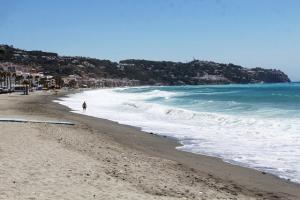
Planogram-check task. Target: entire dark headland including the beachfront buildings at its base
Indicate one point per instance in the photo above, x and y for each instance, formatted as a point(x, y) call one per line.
point(23, 70)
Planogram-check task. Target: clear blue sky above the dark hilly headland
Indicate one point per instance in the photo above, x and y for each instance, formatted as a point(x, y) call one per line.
point(251, 33)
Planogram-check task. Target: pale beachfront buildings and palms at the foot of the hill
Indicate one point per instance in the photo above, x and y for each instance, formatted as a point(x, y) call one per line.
point(18, 78)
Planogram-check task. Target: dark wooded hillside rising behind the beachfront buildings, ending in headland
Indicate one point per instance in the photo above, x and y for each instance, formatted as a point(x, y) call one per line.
point(147, 72)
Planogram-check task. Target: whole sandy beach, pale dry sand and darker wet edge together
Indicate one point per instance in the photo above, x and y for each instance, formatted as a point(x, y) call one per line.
point(101, 159)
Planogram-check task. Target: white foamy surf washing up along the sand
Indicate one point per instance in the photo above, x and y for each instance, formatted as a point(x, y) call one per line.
point(267, 144)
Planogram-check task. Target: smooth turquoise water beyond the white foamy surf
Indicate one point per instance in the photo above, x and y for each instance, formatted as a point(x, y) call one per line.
point(267, 100)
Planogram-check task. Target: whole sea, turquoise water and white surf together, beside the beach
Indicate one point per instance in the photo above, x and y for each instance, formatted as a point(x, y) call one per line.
point(255, 126)
